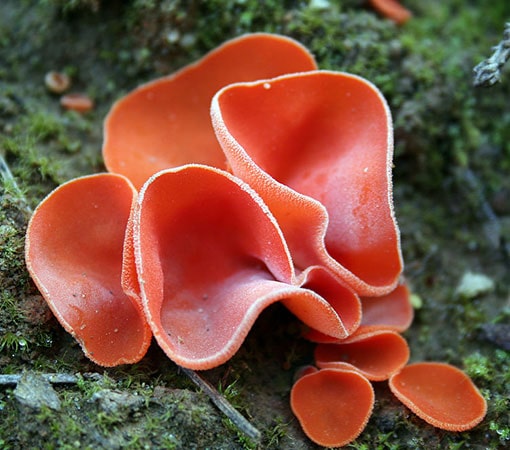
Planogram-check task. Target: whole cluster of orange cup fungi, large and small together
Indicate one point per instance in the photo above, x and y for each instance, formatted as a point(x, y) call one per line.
point(248, 178)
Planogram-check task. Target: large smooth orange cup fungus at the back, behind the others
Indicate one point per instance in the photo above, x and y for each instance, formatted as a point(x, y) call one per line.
point(166, 123)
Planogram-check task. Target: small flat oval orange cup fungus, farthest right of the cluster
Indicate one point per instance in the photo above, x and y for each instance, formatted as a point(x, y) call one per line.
point(440, 394)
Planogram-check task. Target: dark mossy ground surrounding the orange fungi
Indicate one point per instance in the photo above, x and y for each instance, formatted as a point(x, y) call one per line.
point(451, 196)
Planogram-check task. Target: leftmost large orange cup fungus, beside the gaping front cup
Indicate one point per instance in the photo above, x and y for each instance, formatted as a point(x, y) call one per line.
point(74, 249)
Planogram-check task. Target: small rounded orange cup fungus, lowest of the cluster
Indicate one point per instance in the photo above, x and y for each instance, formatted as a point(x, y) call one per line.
point(333, 406)
